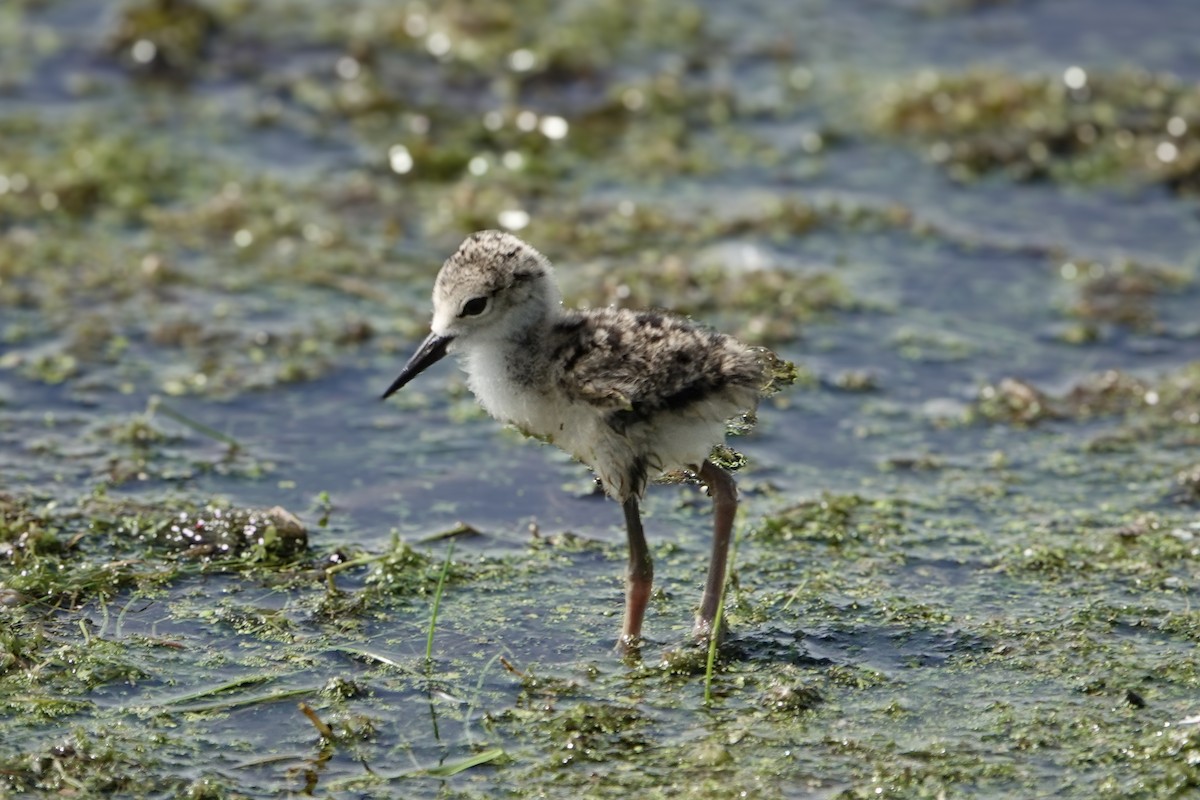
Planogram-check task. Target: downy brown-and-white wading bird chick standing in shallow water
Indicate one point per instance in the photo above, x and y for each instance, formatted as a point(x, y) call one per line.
point(629, 393)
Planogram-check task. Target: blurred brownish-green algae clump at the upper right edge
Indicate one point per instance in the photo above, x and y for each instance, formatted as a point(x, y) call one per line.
point(1075, 128)
